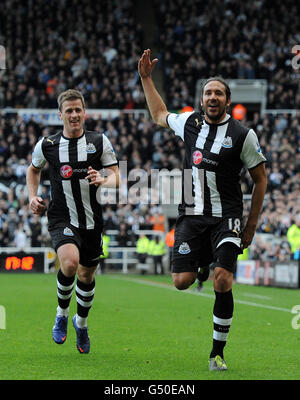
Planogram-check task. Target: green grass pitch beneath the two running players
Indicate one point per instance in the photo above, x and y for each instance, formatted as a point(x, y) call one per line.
point(141, 328)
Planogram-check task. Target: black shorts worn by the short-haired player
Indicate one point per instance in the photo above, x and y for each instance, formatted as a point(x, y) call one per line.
point(88, 241)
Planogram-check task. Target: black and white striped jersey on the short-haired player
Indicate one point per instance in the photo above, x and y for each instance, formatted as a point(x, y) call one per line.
point(73, 200)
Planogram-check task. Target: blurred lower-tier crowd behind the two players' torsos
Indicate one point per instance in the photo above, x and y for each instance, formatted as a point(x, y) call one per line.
point(145, 147)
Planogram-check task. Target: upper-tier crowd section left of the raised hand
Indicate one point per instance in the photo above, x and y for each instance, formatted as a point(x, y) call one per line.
point(59, 44)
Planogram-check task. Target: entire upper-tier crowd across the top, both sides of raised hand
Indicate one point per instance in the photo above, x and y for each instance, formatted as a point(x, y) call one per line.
point(196, 39)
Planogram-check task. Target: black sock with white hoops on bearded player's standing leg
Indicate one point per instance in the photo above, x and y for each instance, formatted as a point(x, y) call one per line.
point(222, 318)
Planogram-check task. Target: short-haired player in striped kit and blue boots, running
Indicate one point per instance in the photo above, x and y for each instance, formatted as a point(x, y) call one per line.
point(75, 157)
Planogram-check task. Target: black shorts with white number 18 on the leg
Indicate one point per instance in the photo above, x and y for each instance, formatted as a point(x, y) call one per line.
point(197, 239)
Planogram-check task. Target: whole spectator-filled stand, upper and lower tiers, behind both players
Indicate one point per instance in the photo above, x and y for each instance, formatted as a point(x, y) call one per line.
point(45, 55)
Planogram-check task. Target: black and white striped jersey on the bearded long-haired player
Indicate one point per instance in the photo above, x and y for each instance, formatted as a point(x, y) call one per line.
point(214, 157)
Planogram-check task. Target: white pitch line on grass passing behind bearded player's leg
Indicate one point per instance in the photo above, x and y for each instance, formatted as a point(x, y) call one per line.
point(195, 293)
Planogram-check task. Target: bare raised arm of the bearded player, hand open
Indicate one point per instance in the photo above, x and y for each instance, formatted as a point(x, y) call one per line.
point(157, 107)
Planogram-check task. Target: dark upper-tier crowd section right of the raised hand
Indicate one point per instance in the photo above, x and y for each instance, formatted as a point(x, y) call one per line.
point(236, 39)
